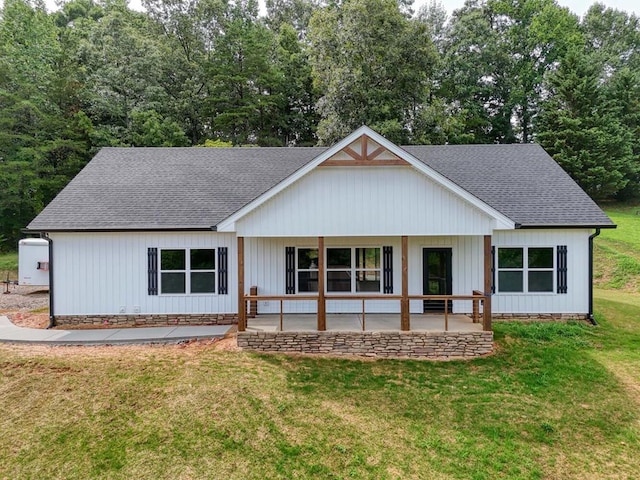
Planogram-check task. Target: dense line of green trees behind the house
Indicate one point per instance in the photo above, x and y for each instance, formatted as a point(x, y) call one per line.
point(208, 72)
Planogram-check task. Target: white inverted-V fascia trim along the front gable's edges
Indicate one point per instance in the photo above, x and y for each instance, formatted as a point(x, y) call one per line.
point(502, 221)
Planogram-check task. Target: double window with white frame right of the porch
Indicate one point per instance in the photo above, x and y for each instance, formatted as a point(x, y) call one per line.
point(525, 269)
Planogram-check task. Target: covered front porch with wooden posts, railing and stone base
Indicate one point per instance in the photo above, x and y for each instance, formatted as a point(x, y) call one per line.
point(383, 321)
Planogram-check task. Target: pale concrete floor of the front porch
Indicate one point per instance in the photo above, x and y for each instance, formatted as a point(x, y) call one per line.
point(294, 322)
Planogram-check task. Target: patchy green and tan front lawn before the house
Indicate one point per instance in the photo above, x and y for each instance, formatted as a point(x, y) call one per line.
point(556, 401)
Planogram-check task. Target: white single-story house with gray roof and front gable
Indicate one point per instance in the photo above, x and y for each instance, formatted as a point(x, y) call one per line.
point(154, 235)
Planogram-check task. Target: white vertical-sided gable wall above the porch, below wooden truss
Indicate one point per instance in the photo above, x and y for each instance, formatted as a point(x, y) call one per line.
point(358, 201)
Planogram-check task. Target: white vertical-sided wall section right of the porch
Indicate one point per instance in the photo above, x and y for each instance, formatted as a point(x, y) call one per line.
point(576, 300)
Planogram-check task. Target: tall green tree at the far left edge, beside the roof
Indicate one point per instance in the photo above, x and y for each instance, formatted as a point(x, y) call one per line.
point(42, 143)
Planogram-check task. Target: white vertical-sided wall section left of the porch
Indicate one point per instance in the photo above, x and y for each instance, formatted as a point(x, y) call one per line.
point(98, 273)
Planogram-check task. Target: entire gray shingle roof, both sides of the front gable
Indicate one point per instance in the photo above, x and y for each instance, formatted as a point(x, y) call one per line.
point(191, 188)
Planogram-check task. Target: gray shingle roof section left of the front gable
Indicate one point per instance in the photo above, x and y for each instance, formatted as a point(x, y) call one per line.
point(167, 188)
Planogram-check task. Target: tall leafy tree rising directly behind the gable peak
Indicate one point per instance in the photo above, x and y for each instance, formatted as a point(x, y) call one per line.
point(372, 63)
